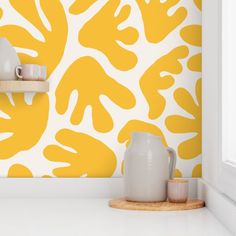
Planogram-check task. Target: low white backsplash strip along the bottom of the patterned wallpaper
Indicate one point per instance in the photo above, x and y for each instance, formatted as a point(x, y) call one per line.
point(68, 187)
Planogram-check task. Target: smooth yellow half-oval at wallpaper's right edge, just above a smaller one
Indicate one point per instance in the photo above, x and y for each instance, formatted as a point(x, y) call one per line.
point(192, 34)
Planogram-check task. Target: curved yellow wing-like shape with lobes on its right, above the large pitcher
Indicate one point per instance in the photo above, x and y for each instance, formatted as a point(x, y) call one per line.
point(152, 81)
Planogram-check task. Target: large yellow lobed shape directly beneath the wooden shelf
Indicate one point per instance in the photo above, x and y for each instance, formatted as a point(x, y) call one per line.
point(27, 122)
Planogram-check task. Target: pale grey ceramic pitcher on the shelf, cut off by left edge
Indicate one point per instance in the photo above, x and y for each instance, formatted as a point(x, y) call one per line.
point(8, 60)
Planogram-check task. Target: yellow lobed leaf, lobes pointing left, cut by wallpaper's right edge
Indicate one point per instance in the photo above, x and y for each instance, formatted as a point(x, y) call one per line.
point(179, 124)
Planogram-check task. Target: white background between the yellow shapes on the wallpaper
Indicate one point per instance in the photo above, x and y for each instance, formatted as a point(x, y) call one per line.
point(146, 52)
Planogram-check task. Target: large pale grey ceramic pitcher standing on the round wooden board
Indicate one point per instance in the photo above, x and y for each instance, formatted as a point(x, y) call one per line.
point(147, 167)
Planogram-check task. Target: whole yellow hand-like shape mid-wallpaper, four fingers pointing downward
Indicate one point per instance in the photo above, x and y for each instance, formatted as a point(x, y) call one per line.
point(90, 80)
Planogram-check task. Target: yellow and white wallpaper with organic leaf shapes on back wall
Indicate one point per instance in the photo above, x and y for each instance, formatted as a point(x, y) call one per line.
point(115, 66)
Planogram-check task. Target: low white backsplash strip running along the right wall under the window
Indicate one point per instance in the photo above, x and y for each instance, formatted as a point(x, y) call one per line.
point(220, 205)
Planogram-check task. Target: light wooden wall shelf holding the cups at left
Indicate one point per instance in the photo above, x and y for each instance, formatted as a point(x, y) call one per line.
point(16, 86)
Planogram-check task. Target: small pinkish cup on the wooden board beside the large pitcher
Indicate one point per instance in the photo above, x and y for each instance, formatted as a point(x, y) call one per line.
point(177, 190)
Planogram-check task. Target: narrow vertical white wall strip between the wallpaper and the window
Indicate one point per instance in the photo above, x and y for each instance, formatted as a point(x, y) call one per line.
point(211, 90)
